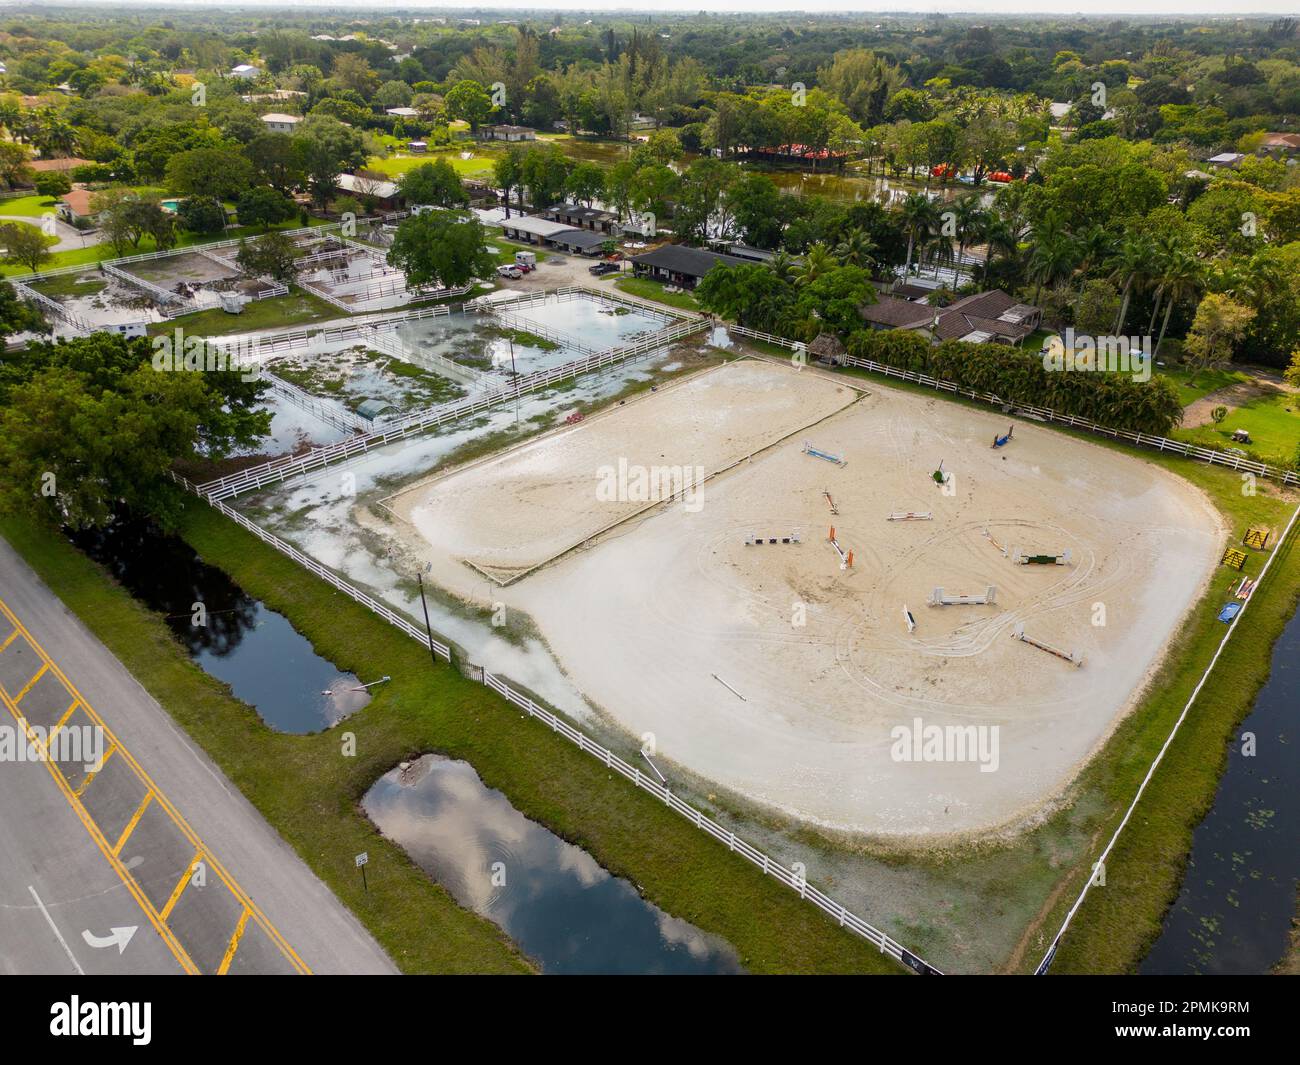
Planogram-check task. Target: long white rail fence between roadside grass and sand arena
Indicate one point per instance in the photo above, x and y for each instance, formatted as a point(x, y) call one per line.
point(770, 867)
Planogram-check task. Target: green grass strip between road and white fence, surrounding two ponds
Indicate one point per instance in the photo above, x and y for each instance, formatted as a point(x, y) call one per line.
point(311, 794)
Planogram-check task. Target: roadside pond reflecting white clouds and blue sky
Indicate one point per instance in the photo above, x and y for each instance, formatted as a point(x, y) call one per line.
point(552, 898)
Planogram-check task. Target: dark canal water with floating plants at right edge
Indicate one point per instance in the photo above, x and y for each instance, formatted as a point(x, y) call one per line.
point(1234, 911)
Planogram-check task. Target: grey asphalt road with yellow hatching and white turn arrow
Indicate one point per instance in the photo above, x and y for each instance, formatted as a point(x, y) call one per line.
point(124, 848)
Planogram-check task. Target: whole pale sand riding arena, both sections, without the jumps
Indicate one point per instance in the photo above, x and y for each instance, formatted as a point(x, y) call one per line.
point(779, 676)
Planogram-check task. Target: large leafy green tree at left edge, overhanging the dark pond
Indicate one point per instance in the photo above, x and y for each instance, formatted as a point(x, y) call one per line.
point(96, 414)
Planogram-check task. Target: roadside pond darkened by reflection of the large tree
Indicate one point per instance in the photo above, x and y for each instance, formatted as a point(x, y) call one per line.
point(265, 660)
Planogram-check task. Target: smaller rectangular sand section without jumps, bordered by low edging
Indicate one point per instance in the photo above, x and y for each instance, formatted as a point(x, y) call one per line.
point(518, 510)
